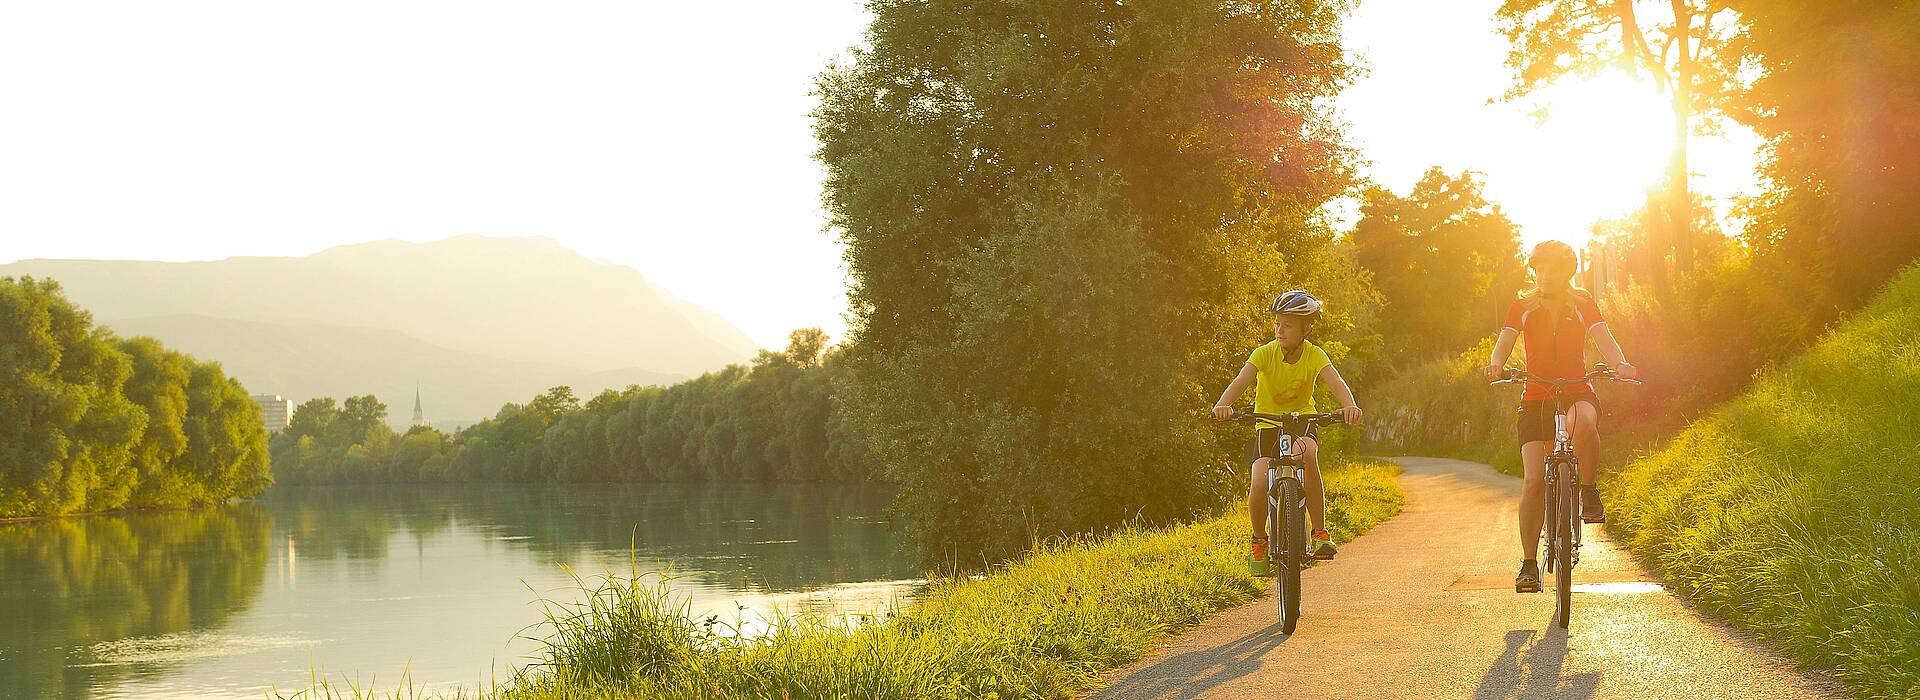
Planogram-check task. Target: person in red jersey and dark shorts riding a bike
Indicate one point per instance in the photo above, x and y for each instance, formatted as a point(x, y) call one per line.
point(1556, 319)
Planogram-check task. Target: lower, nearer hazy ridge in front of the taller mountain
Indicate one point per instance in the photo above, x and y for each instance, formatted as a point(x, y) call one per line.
point(337, 362)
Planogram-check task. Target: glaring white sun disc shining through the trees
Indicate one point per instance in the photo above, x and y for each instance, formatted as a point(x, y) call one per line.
point(1604, 145)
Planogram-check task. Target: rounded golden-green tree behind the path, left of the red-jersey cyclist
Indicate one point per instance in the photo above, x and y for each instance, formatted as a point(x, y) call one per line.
point(1443, 258)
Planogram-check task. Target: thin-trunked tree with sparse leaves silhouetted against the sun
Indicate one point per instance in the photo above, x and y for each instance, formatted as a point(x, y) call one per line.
point(1681, 43)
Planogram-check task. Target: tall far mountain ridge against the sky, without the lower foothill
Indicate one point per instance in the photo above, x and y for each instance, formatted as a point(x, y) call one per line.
point(525, 300)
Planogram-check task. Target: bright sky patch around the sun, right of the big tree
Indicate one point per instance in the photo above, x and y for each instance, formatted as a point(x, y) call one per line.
point(1433, 68)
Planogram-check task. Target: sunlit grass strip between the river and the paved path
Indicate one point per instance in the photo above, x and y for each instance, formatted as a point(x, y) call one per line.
point(1038, 628)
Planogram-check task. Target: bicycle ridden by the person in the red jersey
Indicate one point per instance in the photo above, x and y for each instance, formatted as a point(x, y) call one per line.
point(1562, 526)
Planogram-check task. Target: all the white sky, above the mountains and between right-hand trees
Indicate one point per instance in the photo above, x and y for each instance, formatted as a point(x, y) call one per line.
point(667, 137)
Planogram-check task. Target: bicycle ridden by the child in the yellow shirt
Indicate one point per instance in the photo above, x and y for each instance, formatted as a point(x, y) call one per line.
point(1287, 507)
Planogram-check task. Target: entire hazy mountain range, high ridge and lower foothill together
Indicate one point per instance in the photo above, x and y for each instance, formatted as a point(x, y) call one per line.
point(473, 321)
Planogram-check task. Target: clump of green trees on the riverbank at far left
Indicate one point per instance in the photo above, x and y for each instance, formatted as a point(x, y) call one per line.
point(97, 423)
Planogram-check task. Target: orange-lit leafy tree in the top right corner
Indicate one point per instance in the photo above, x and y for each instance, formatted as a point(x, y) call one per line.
point(1836, 95)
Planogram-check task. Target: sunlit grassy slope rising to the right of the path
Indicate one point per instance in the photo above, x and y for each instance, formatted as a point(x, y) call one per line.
point(1796, 507)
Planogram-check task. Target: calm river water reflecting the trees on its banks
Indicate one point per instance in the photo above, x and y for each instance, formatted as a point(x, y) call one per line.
point(368, 584)
